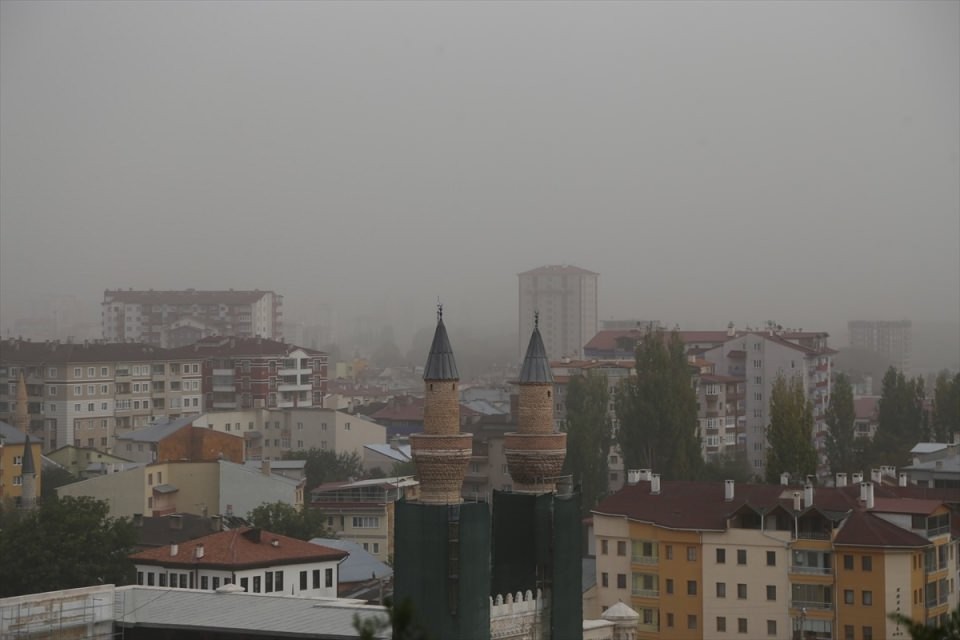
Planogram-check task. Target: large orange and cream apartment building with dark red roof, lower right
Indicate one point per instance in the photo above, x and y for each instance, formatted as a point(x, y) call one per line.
point(717, 560)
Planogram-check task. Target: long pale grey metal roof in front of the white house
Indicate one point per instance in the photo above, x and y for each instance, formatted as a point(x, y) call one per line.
point(246, 613)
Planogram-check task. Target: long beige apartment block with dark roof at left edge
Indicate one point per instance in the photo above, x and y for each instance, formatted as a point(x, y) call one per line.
point(84, 394)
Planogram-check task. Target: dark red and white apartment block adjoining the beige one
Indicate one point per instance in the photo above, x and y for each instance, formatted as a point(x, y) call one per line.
point(255, 373)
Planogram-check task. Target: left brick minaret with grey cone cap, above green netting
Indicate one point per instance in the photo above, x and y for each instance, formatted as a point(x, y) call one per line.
point(441, 452)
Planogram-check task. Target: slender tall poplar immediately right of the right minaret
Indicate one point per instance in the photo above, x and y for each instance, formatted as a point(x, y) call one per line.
point(588, 436)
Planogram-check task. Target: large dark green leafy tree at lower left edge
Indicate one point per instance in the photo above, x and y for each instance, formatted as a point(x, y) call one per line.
point(64, 544)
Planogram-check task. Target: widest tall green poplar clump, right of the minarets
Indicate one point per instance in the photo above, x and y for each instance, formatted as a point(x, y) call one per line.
point(657, 410)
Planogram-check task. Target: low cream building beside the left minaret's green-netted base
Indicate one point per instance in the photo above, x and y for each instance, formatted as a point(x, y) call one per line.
point(362, 511)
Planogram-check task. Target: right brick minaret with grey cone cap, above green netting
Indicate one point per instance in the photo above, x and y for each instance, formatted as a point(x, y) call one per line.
point(535, 453)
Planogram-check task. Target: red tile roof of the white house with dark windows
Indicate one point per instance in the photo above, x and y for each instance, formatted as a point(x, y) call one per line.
point(239, 549)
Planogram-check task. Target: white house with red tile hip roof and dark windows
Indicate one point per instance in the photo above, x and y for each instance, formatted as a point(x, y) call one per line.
point(258, 561)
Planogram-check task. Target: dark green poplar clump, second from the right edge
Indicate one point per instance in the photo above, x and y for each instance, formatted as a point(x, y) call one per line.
point(901, 422)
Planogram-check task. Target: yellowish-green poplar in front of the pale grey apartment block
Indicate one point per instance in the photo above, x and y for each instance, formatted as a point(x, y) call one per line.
point(790, 433)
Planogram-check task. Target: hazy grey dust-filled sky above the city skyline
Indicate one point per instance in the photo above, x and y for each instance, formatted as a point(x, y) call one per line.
point(713, 161)
